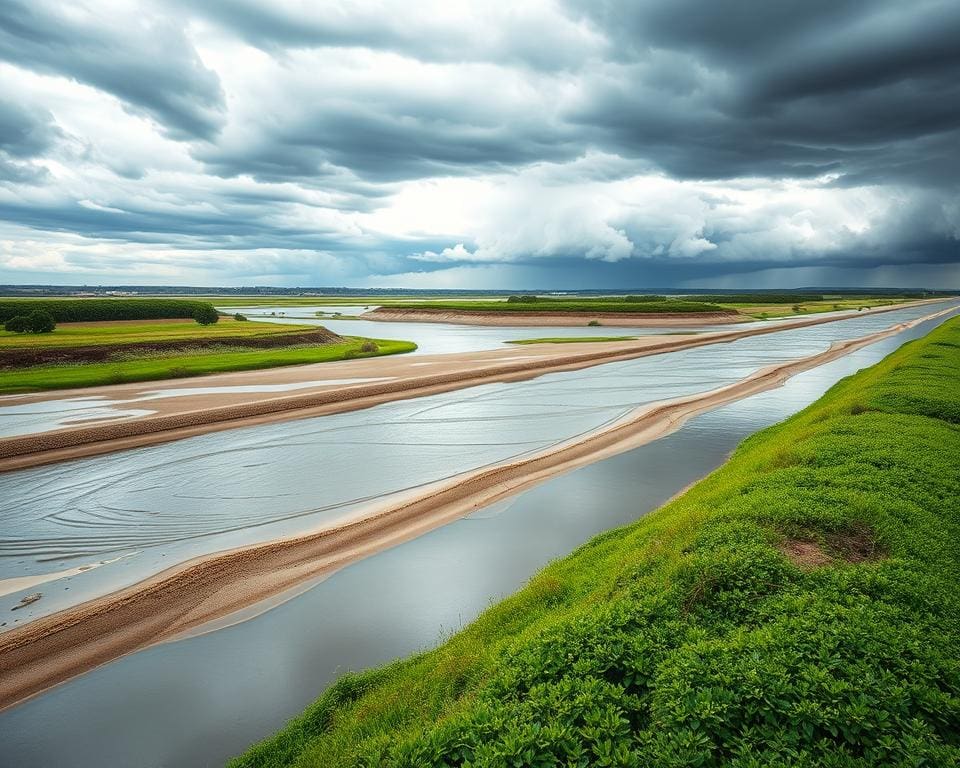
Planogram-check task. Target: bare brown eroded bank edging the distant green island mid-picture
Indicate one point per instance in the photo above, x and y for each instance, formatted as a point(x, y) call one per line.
point(545, 319)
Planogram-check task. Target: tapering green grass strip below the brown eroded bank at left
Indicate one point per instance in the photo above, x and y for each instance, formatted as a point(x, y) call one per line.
point(152, 368)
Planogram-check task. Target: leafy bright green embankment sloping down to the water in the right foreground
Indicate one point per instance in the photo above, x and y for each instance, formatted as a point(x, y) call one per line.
point(691, 638)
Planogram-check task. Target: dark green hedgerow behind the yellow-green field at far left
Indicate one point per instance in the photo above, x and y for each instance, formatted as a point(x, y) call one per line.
point(87, 310)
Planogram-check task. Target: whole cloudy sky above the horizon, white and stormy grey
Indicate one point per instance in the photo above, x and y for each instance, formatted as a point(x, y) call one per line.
point(563, 144)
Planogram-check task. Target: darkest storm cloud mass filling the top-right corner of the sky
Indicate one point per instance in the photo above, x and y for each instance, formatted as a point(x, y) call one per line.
point(787, 88)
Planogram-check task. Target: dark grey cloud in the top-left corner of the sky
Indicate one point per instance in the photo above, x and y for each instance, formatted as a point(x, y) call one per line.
point(145, 61)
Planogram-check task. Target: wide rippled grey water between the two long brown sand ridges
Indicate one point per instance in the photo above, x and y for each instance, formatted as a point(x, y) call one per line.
point(164, 504)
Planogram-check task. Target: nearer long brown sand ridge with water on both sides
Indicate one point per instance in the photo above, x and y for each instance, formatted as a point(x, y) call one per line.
point(54, 648)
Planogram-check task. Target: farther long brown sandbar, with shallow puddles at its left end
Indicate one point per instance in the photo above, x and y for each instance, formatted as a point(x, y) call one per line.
point(406, 377)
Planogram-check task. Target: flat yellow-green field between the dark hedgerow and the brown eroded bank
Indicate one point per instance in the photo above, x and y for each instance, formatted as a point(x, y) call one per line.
point(95, 334)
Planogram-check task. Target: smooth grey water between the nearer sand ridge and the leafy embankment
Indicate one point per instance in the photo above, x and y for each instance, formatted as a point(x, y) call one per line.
point(197, 701)
